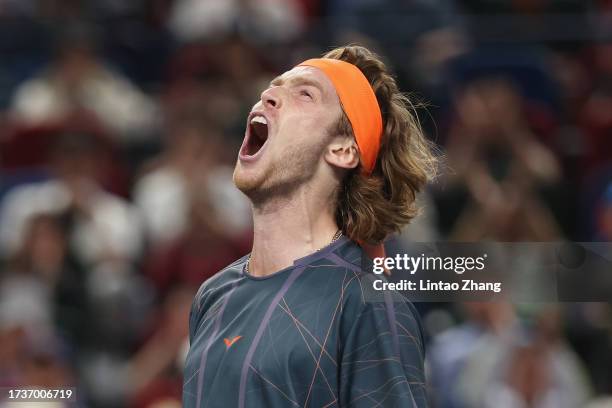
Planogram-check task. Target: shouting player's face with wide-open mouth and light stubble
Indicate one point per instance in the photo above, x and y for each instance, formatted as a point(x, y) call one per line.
point(287, 132)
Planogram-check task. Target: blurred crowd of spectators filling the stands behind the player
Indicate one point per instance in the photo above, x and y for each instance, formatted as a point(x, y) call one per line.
point(120, 123)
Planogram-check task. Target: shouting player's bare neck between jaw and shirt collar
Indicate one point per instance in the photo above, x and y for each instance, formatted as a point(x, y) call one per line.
point(286, 229)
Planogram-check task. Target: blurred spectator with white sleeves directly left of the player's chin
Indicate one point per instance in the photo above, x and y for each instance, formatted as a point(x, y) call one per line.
point(195, 220)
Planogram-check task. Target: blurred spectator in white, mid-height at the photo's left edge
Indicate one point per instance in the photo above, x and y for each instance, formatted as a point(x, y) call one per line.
point(105, 226)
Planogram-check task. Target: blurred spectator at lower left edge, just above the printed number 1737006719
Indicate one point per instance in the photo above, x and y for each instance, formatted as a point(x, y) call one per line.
point(42, 306)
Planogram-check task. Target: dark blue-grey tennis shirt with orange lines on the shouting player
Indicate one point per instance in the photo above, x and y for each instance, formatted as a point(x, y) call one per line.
point(305, 336)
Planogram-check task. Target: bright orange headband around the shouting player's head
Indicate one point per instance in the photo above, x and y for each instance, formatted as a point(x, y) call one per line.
point(359, 104)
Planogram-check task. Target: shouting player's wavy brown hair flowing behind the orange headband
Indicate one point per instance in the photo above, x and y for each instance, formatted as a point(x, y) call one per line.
point(369, 208)
